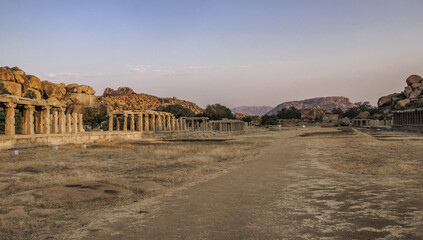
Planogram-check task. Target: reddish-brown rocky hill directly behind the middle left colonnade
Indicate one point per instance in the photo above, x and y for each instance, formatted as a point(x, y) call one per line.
point(125, 98)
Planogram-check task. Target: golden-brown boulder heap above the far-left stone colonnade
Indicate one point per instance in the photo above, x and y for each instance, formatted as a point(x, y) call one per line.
point(76, 97)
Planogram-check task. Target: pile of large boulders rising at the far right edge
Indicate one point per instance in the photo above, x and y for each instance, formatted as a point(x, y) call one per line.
point(411, 97)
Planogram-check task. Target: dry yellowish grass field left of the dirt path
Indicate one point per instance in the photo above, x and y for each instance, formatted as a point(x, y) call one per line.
point(45, 191)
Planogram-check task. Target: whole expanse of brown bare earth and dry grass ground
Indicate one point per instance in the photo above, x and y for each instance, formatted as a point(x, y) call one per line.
point(312, 183)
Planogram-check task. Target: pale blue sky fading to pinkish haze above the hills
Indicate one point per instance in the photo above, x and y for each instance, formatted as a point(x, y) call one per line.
point(230, 52)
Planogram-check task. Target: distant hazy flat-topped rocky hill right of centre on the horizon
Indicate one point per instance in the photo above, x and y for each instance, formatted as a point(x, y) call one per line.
point(328, 103)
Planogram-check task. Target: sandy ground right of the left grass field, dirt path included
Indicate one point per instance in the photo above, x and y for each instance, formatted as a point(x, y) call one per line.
point(312, 183)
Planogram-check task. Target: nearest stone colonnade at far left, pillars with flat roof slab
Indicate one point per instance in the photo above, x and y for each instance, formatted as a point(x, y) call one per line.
point(38, 117)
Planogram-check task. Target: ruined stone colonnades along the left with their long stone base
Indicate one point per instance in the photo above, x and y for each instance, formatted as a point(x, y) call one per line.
point(51, 122)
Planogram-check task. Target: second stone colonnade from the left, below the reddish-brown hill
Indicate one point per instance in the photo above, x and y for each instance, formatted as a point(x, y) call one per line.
point(145, 121)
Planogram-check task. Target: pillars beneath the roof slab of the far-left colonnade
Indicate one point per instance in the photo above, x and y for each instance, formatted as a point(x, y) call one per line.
point(44, 122)
